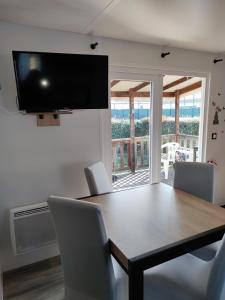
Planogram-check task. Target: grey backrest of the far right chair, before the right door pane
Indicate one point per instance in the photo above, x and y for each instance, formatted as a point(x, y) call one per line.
point(195, 178)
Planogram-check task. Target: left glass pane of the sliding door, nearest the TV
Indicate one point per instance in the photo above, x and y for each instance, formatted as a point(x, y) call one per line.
point(130, 110)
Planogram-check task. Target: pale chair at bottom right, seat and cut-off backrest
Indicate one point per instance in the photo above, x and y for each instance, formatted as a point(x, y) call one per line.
point(188, 278)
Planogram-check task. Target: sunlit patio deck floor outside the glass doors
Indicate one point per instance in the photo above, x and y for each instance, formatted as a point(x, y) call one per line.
point(141, 177)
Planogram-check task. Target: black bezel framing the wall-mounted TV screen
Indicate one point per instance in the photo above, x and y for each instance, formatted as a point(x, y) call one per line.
point(54, 109)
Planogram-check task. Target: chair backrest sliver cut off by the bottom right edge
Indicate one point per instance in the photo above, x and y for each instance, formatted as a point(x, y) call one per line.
point(216, 282)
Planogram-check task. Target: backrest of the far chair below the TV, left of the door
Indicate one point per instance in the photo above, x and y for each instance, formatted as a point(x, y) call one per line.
point(97, 179)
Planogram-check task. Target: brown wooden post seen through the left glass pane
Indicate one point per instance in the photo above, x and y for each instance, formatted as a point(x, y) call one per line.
point(132, 132)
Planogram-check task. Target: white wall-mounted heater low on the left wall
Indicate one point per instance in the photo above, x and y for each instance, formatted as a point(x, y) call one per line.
point(31, 228)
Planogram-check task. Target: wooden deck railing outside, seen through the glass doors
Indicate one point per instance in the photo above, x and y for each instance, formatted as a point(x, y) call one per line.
point(121, 150)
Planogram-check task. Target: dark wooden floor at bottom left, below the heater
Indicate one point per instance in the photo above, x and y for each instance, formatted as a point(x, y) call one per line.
point(42, 281)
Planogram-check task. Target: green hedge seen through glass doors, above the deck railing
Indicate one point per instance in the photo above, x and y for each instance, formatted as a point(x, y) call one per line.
point(121, 128)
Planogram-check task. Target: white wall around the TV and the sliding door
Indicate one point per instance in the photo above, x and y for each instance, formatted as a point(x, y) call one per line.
point(37, 162)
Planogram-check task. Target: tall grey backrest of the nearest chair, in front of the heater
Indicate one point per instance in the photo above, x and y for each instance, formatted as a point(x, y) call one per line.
point(83, 244)
